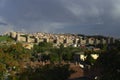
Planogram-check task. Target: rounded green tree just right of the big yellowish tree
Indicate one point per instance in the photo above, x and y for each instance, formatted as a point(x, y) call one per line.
point(43, 49)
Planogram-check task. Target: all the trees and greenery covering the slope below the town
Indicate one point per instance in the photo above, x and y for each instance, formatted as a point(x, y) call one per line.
point(15, 61)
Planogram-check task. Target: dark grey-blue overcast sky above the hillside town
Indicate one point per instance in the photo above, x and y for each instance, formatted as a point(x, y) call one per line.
point(91, 17)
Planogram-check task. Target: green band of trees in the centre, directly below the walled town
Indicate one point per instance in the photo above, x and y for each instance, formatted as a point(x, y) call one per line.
point(48, 52)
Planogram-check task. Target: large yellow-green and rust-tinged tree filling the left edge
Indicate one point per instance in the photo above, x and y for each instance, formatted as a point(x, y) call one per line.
point(10, 58)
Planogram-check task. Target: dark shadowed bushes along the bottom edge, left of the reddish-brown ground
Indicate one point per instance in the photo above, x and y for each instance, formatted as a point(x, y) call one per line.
point(47, 72)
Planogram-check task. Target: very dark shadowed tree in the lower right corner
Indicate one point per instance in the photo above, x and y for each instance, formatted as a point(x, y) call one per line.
point(108, 65)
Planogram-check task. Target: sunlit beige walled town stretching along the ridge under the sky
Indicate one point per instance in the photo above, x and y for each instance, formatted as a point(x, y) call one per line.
point(57, 39)
